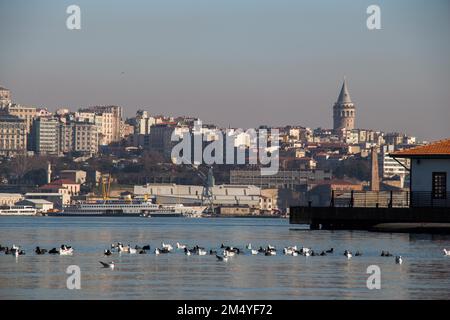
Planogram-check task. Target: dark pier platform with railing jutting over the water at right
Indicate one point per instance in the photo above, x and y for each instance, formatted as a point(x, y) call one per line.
point(377, 211)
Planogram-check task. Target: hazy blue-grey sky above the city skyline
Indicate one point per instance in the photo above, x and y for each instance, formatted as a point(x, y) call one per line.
point(235, 62)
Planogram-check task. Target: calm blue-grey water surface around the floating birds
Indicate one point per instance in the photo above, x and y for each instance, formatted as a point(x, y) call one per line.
point(425, 273)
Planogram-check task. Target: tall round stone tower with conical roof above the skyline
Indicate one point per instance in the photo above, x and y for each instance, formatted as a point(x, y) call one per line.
point(344, 110)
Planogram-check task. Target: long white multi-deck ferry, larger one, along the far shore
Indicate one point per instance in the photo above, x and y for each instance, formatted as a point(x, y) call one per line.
point(117, 208)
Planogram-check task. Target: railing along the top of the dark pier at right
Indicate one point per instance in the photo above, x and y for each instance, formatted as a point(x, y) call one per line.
point(389, 199)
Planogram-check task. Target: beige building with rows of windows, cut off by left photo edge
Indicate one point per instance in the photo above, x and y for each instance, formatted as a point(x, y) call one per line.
point(13, 135)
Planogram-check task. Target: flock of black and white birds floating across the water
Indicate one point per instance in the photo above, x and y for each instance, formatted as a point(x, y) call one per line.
point(223, 254)
